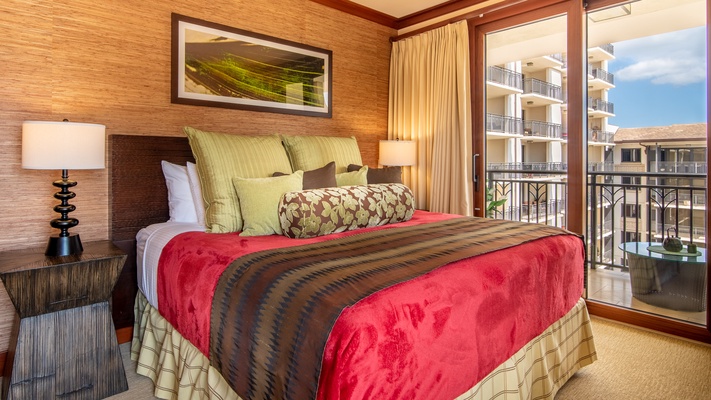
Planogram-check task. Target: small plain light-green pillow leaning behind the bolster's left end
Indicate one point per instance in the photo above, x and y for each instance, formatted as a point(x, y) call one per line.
point(259, 201)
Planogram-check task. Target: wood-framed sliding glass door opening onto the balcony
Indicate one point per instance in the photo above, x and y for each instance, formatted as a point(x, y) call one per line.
point(602, 130)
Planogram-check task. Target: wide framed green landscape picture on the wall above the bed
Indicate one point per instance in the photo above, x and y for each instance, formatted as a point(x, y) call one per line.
point(219, 66)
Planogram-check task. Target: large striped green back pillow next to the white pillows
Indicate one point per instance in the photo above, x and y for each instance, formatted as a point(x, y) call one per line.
point(220, 158)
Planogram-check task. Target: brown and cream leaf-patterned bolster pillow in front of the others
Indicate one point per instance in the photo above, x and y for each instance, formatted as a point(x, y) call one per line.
point(317, 212)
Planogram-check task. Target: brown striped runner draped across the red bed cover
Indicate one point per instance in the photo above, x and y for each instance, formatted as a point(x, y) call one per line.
point(273, 310)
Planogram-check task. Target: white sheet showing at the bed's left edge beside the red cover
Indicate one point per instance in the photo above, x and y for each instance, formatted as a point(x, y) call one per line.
point(149, 245)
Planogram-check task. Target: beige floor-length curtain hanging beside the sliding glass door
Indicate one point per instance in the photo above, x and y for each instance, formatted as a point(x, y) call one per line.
point(430, 103)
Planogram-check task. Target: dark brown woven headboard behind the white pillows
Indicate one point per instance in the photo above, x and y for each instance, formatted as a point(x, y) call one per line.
point(137, 198)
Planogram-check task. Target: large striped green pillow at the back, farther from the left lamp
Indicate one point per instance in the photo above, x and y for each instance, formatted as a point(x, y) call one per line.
point(311, 152)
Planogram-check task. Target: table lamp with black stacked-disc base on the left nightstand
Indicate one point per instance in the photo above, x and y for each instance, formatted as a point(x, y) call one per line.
point(63, 146)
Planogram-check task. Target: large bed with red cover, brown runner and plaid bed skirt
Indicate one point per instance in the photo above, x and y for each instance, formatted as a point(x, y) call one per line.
point(463, 322)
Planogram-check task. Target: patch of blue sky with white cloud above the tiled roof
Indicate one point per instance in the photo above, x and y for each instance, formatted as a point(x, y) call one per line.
point(660, 80)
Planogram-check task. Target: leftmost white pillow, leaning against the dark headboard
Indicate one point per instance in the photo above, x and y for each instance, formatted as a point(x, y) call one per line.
point(180, 198)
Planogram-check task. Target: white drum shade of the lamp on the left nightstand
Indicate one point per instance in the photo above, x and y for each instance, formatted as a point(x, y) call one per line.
point(63, 145)
